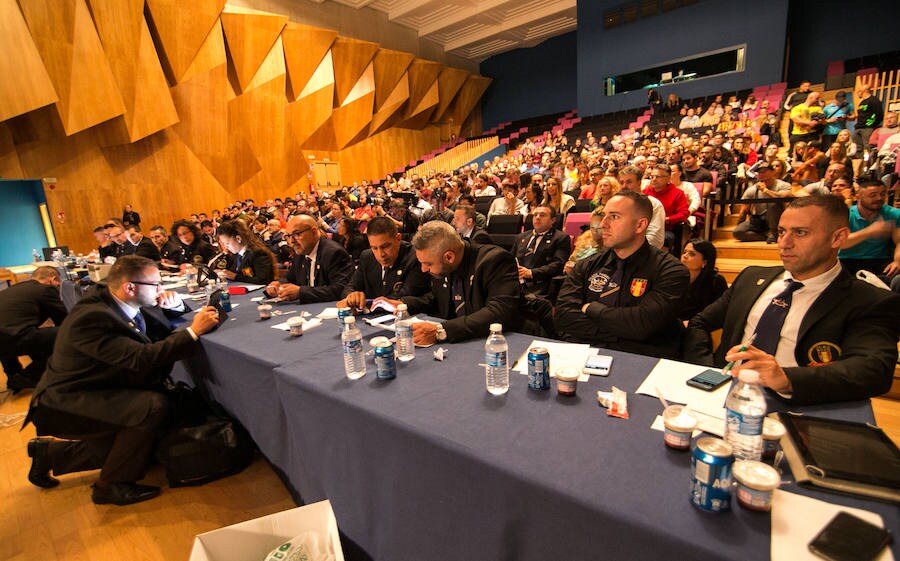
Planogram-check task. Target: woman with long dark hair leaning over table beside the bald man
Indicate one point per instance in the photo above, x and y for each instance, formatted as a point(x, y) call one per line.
point(252, 262)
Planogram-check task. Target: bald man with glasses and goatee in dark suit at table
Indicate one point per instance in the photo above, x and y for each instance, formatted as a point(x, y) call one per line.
point(321, 268)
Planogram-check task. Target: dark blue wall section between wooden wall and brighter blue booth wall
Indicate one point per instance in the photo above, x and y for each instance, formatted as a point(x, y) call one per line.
point(531, 82)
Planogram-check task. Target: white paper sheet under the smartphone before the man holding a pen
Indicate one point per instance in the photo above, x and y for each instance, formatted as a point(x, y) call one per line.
point(670, 377)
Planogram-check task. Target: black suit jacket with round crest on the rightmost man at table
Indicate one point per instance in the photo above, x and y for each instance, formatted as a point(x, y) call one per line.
point(847, 344)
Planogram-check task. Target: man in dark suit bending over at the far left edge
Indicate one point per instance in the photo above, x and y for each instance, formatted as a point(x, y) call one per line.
point(24, 307)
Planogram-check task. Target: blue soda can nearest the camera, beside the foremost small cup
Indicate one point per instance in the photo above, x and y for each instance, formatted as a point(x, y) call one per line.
point(711, 465)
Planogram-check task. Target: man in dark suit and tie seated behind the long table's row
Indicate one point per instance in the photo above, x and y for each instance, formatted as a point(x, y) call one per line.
point(541, 253)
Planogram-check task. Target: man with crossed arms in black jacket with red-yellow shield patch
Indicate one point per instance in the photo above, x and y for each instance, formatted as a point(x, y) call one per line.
point(627, 297)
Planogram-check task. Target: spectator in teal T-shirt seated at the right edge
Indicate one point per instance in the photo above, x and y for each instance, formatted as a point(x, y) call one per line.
point(873, 243)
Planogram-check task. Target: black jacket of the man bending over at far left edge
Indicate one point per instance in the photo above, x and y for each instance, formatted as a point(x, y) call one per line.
point(28, 304)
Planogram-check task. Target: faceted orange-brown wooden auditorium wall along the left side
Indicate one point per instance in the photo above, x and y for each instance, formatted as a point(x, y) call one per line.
point(178, 107)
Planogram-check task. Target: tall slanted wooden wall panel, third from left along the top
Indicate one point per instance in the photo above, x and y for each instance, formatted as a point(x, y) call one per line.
point(135, 65)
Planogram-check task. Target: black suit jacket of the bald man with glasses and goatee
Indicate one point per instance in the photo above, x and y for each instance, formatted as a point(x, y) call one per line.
point(334, 268)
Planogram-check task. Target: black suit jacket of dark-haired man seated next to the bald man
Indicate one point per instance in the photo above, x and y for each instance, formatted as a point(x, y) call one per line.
point(404, 278)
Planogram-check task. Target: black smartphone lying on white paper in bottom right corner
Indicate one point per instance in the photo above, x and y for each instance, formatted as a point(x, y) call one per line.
point(850, 538)
